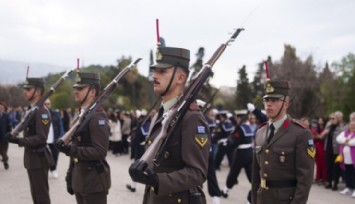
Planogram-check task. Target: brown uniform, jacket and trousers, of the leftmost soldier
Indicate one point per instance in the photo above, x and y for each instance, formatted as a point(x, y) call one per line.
point(37, 157)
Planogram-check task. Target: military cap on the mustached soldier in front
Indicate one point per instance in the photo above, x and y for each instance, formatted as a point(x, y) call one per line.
point(171, 56)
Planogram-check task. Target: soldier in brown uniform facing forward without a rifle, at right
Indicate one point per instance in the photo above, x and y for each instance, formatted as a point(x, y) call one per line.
point(283, 161)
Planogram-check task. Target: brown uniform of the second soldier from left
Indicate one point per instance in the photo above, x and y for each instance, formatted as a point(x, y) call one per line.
point(89, 171)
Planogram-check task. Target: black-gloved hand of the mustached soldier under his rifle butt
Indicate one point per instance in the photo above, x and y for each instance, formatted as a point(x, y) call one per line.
point(140, 173)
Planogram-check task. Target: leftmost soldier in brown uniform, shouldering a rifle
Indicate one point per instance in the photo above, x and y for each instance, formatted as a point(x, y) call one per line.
point(37, 157)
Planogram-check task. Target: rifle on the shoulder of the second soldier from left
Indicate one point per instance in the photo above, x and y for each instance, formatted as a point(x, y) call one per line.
point(84, 117)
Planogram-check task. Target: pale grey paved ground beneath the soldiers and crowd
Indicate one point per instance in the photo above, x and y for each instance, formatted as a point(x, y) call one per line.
point(14, 186)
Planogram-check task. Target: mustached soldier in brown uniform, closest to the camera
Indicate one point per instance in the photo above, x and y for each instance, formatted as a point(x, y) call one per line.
point(179, 176)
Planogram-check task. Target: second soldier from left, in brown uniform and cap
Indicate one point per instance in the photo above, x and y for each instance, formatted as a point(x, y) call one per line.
point(88, 176)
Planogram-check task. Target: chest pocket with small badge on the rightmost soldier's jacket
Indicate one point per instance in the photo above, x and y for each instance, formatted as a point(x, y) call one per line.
point(284, 156)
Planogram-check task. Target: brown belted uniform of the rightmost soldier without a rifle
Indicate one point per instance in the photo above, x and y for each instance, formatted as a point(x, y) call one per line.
point(283, 168)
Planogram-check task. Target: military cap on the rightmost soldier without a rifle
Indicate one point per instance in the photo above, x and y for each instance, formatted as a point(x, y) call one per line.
point(276, 89)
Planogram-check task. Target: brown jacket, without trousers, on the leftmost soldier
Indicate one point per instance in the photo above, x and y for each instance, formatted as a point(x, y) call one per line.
point(37, 154)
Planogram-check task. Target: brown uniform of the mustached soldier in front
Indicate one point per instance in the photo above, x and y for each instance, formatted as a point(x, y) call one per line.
point(184, 167)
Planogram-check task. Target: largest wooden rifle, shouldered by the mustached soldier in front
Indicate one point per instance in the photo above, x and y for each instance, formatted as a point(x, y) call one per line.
point(155, 153)
